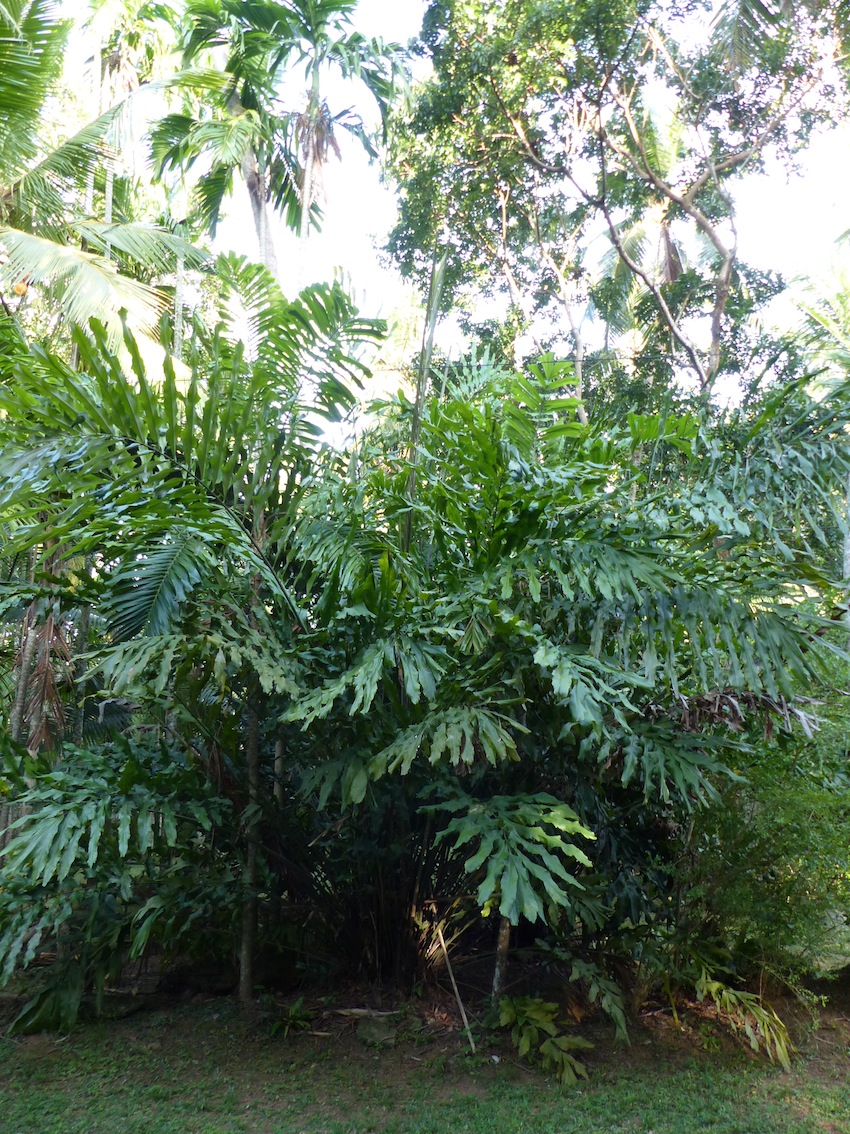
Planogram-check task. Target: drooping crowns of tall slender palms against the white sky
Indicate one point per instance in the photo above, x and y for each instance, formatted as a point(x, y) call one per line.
point(244, 126)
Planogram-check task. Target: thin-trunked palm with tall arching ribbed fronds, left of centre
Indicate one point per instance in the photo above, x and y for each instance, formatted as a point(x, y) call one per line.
point(225, 454)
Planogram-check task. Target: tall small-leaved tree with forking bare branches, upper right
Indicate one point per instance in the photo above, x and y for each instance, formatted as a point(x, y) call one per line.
point(539, 125)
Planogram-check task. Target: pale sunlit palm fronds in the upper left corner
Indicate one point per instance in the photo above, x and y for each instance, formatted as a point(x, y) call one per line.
point(45, 236)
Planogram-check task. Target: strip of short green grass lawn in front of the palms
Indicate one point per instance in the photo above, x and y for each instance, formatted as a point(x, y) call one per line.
point(203, 1069)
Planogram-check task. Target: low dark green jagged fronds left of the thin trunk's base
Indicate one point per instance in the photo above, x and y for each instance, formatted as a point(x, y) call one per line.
point(112, 852)
